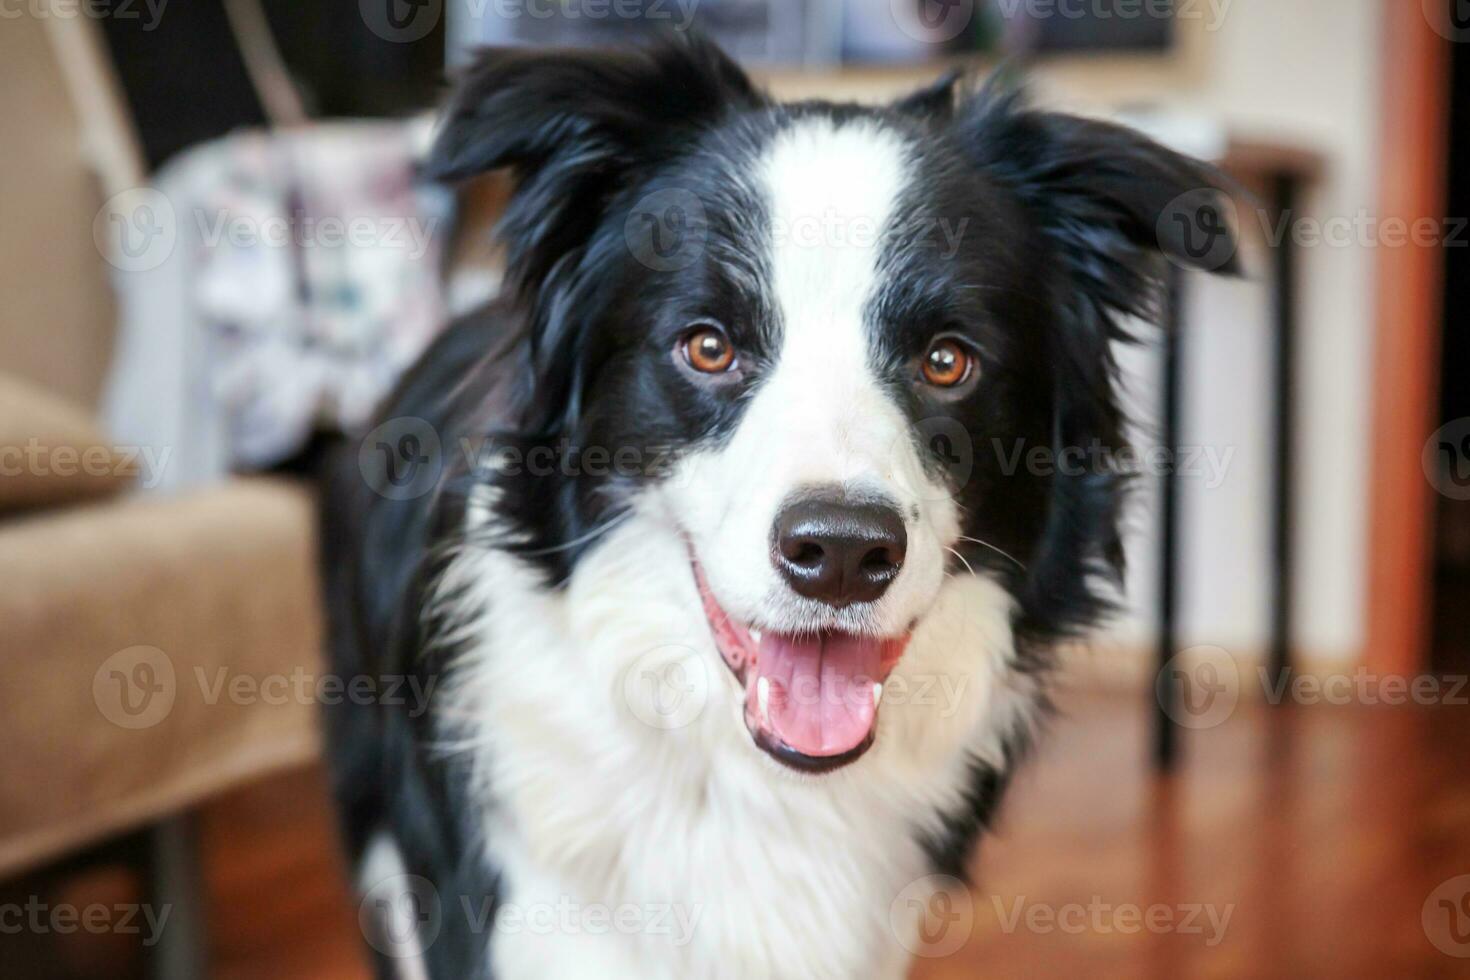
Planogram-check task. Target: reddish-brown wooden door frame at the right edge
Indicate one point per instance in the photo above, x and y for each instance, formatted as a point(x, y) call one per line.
point(1409, 321)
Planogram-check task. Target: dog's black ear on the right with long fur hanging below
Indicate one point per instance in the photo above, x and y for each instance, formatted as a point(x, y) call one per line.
point(1111, 203)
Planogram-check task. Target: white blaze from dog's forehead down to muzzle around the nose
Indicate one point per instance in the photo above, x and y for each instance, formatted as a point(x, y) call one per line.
point(821, 415)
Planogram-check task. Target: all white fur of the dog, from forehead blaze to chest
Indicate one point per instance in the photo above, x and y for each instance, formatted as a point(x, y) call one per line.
point(590, 800)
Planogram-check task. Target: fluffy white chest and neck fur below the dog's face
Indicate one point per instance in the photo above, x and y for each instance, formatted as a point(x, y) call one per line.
point(639, 831)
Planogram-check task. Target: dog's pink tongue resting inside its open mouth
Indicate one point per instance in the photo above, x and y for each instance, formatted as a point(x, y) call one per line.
point(822, 690)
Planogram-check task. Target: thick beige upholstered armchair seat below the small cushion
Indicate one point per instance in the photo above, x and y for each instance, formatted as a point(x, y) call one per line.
point(140, 657)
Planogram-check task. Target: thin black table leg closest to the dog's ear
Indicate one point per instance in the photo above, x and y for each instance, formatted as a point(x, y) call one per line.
point(1166, 693)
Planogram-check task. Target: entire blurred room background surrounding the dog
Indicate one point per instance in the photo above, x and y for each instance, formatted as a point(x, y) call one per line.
point(215, 253)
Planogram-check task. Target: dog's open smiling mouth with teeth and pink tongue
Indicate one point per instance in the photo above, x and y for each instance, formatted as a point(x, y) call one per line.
point(811, 700)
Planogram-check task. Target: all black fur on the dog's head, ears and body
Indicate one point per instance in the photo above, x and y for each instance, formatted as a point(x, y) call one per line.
point(1064, 240)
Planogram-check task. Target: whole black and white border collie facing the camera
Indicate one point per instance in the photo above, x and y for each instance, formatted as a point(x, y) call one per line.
point(733, 584)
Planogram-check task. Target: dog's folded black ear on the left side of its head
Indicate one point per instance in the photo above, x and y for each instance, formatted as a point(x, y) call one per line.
point(573, 124)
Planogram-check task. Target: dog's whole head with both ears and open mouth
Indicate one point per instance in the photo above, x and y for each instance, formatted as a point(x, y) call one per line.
point(875, 342)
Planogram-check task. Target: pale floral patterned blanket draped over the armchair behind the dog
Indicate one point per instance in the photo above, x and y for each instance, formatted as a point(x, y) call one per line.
point(271, 286)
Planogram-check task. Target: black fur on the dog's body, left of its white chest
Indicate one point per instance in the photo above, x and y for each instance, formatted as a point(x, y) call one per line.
point(380, 558)
